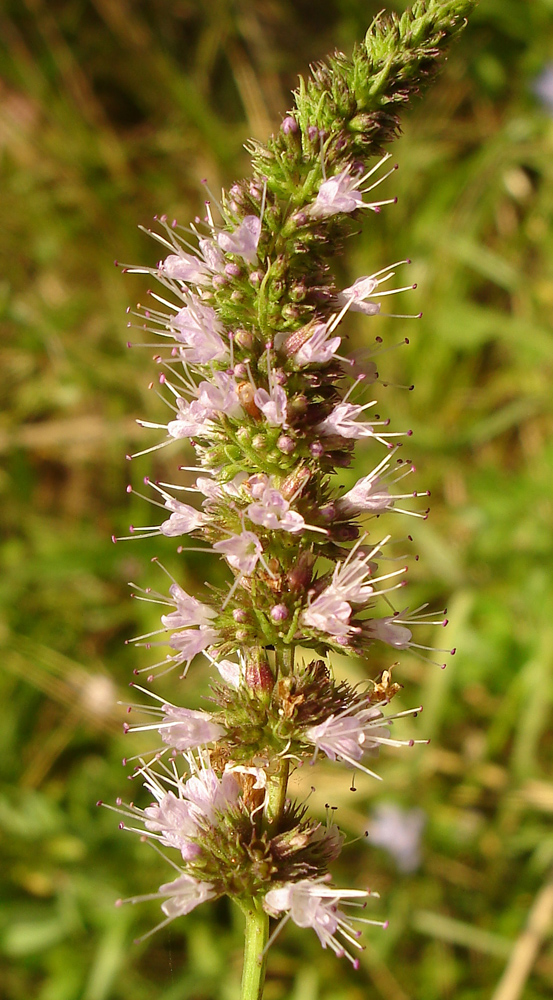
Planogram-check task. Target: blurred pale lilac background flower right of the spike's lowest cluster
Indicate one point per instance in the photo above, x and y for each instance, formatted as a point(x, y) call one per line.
point(399, 832)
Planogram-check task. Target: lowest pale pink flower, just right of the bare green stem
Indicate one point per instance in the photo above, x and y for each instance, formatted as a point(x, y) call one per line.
point(310, 903)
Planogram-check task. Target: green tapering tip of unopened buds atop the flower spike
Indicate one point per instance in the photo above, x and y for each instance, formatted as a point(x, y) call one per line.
point(355, 104)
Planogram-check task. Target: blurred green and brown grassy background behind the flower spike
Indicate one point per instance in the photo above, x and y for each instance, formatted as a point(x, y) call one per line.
point(111, 111)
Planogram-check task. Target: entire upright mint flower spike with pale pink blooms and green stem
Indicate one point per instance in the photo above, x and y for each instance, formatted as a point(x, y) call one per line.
point(253, 360)
